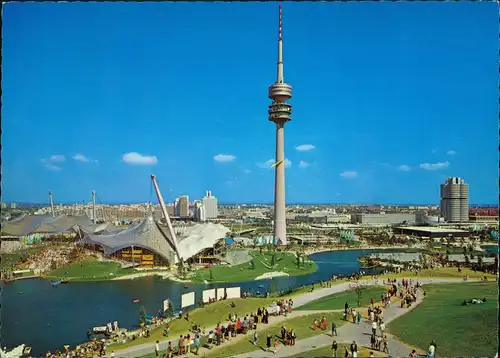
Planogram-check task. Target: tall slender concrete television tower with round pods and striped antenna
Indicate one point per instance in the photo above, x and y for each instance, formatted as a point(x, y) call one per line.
point(279, 113)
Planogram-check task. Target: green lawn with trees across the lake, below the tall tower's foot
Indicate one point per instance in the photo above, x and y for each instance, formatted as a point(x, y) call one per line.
point(285, 262)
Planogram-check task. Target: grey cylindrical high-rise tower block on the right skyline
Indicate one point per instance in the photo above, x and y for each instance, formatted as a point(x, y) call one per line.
point(455, 200)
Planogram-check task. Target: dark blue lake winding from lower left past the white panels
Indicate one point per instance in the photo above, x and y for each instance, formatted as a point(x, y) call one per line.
point(47, 317)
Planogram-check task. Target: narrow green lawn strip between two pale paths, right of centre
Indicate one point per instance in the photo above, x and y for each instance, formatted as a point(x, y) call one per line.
point(338, 300)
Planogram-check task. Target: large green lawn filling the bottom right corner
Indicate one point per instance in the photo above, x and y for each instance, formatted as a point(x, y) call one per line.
point(464, 331)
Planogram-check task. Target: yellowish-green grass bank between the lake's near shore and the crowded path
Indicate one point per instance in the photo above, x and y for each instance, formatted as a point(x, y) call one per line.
point(207, 317)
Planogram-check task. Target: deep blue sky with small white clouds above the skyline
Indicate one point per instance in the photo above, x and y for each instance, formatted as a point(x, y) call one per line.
point(389, 100)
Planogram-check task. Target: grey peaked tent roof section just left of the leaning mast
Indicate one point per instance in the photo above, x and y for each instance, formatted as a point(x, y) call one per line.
point(146, 234)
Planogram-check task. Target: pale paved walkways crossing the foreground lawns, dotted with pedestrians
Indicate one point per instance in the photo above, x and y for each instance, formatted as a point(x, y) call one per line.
point(350, 331)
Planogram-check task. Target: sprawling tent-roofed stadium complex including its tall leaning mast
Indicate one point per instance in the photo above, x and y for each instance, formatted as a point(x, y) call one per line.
point(145, 243)
